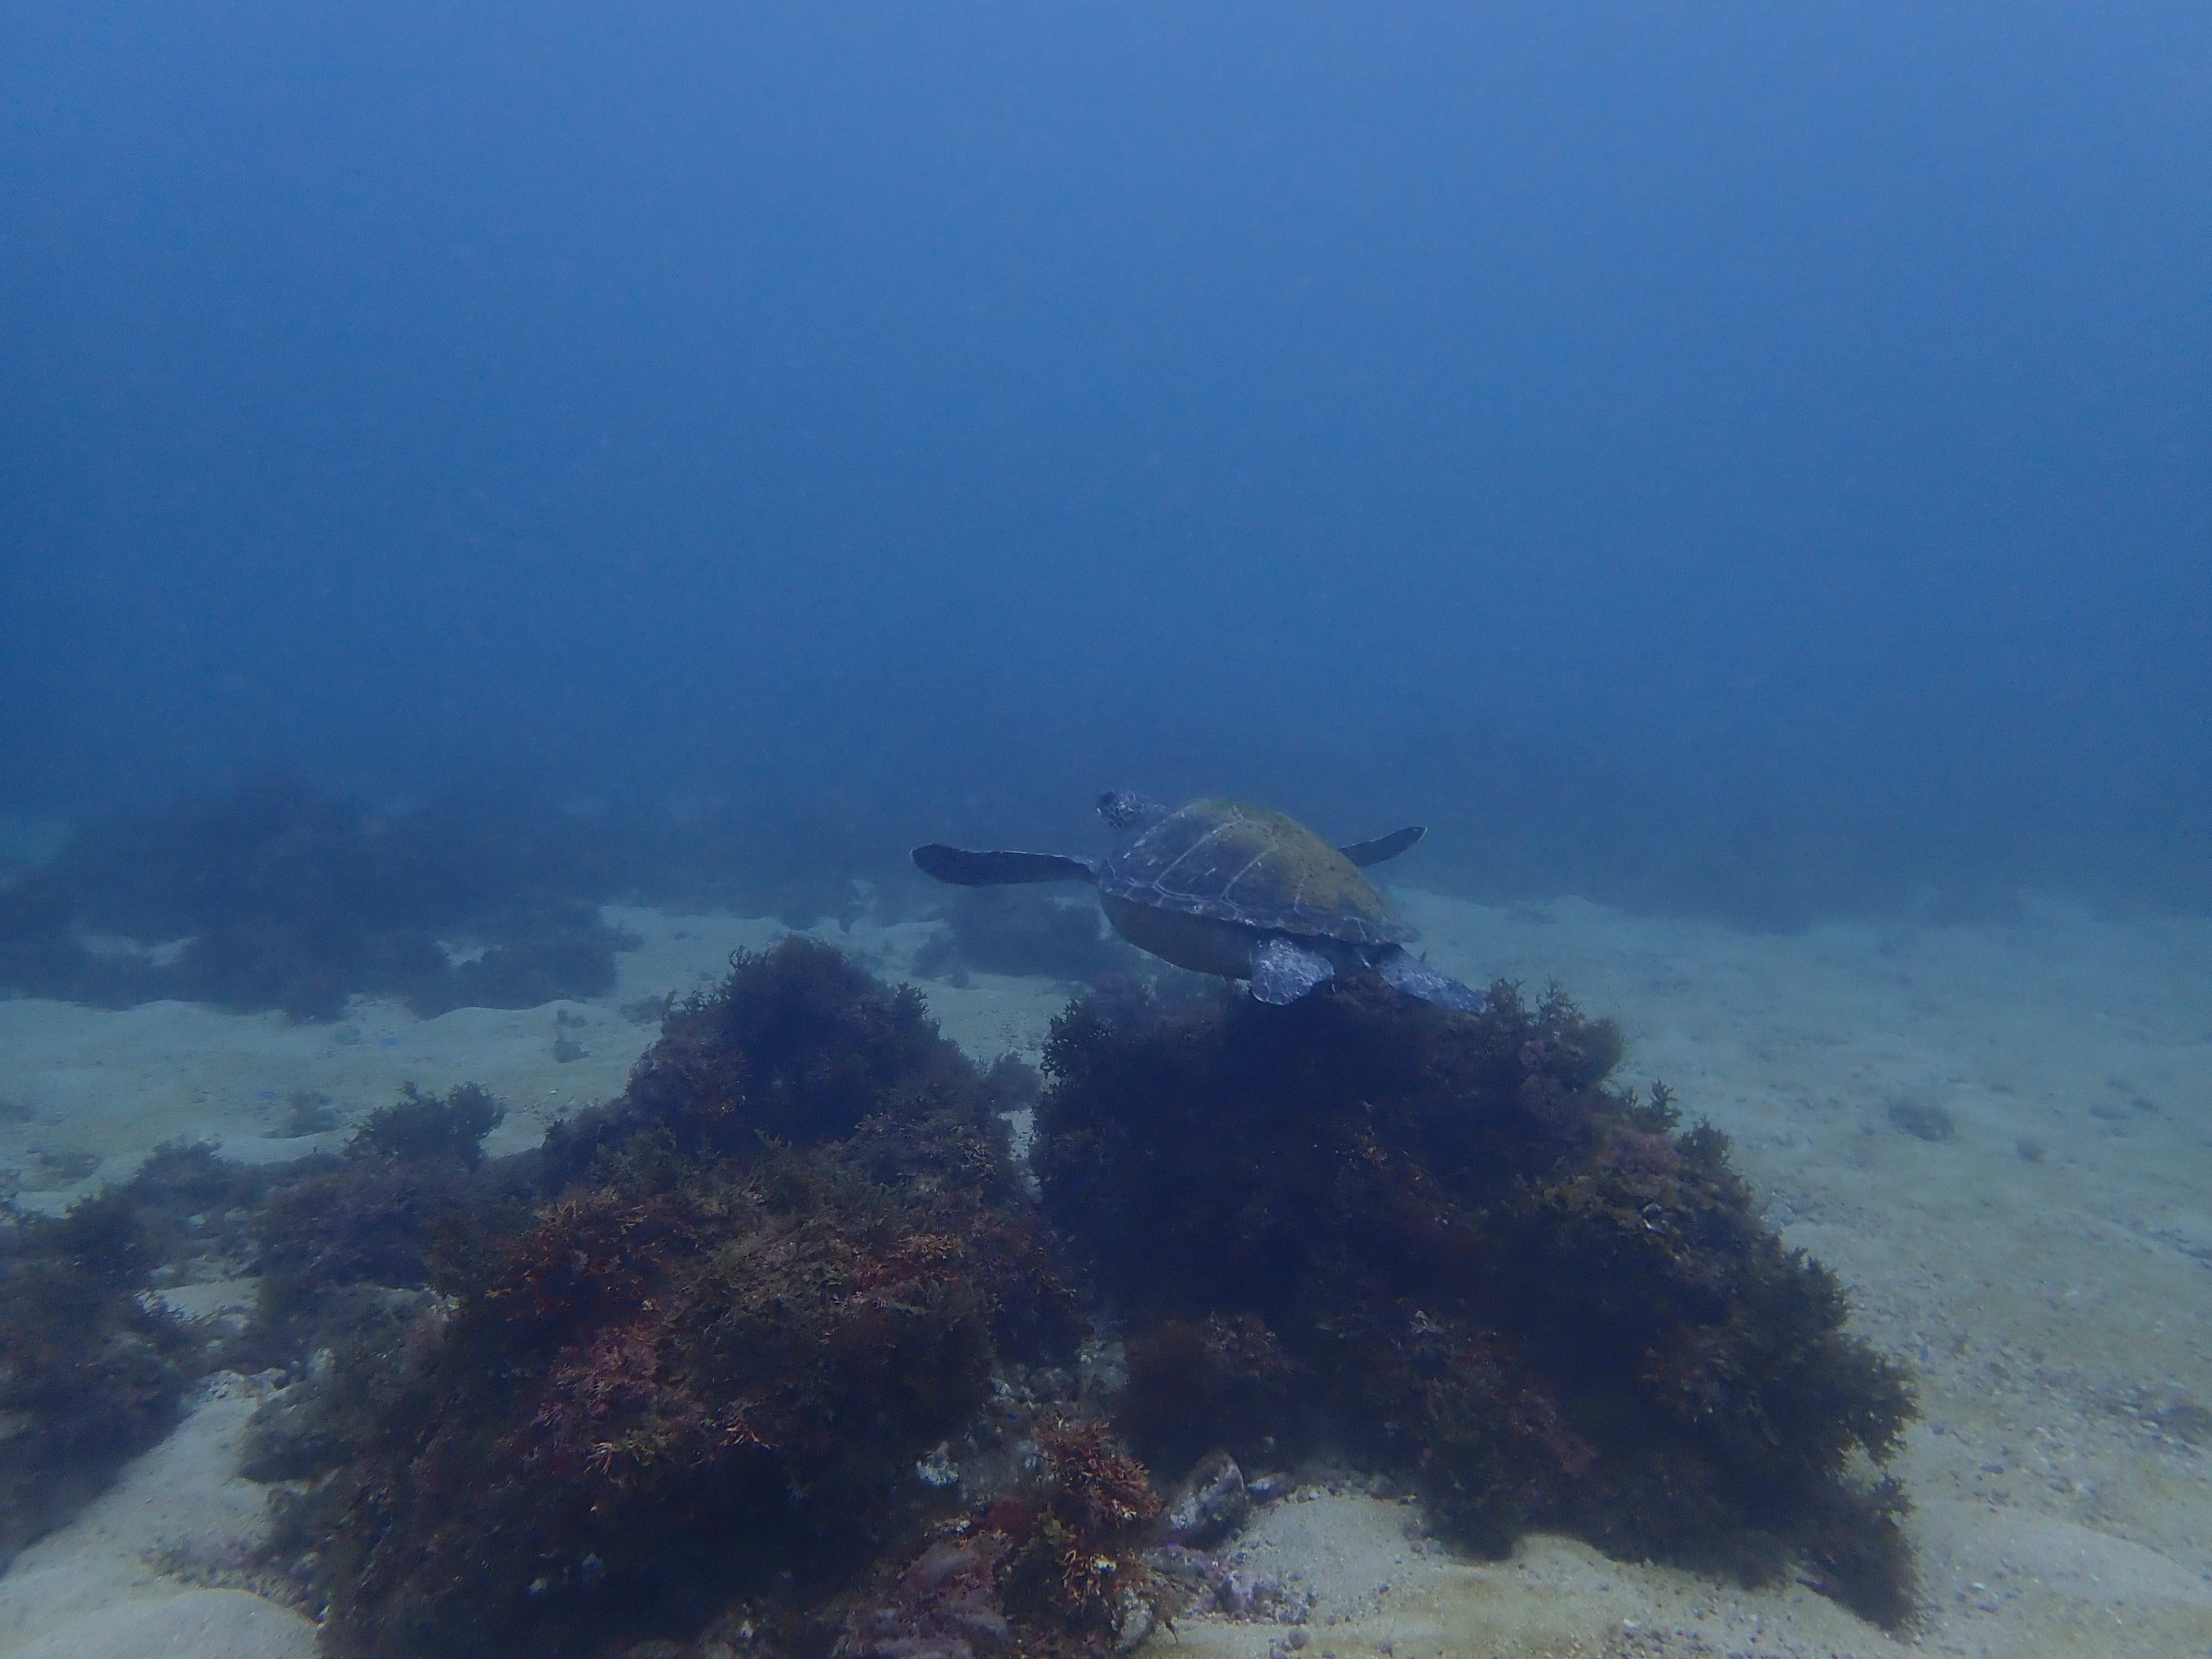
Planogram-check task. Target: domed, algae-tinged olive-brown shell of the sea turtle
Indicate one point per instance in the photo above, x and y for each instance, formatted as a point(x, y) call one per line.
point(1258, 868)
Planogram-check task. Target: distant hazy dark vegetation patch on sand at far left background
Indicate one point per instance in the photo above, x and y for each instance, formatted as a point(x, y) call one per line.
point(284, 897)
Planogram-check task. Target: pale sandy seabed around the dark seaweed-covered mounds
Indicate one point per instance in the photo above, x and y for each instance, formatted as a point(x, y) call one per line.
point(2047, 1269)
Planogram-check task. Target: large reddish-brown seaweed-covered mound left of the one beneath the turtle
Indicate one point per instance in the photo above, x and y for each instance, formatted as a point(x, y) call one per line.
point(707, 1353)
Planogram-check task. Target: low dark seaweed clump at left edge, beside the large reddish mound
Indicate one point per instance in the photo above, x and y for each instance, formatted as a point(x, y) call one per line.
point(94, 1368)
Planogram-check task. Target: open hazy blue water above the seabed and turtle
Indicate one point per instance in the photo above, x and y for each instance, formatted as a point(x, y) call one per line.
point(1724, 459)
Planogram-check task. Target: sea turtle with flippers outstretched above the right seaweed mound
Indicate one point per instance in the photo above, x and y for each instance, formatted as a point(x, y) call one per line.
point(1235, 890)
